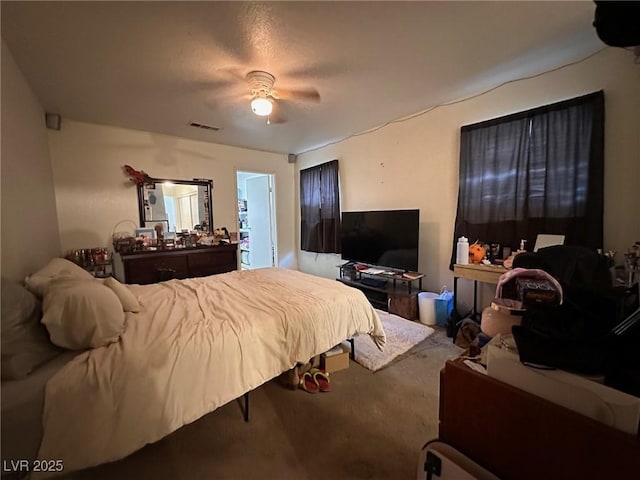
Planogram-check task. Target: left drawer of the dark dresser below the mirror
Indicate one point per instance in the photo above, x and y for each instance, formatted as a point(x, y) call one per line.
point(152, 269)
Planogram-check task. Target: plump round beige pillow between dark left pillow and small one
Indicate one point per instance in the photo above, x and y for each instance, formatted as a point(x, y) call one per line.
point(80, 314)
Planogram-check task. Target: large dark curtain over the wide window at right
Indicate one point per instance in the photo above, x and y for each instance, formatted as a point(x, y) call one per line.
point(539, 171)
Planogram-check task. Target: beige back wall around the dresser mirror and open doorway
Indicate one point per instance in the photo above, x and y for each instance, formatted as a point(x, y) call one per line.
point(93, 193)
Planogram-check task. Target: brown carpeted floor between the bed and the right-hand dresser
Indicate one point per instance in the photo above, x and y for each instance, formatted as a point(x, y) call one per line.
point(370, 426)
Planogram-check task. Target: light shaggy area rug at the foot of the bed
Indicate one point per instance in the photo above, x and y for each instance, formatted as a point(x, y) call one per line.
point(402, 335)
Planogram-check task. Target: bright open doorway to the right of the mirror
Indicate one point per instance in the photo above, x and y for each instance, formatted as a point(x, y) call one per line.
point(256, 220)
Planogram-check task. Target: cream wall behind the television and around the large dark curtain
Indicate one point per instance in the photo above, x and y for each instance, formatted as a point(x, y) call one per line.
point(414, 164)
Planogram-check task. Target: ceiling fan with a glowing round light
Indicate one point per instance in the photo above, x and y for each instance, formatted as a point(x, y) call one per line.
point(263, 95)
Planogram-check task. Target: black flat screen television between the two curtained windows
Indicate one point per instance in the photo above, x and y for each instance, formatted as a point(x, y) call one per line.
point(384, 238)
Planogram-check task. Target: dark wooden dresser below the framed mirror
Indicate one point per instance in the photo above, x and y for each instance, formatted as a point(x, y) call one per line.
point(154, 266)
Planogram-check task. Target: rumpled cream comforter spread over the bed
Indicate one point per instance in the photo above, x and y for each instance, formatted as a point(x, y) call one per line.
point(196, 345)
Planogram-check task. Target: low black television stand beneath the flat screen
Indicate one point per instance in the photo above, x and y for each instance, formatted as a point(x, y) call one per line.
point(392, 293)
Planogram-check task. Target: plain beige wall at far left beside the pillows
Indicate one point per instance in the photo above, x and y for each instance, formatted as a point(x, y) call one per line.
point(29, 223)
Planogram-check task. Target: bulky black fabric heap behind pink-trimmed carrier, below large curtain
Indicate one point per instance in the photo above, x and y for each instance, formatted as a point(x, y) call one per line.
point(574, 335)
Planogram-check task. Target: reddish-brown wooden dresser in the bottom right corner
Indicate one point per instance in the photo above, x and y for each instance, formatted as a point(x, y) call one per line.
point(520, 436)
